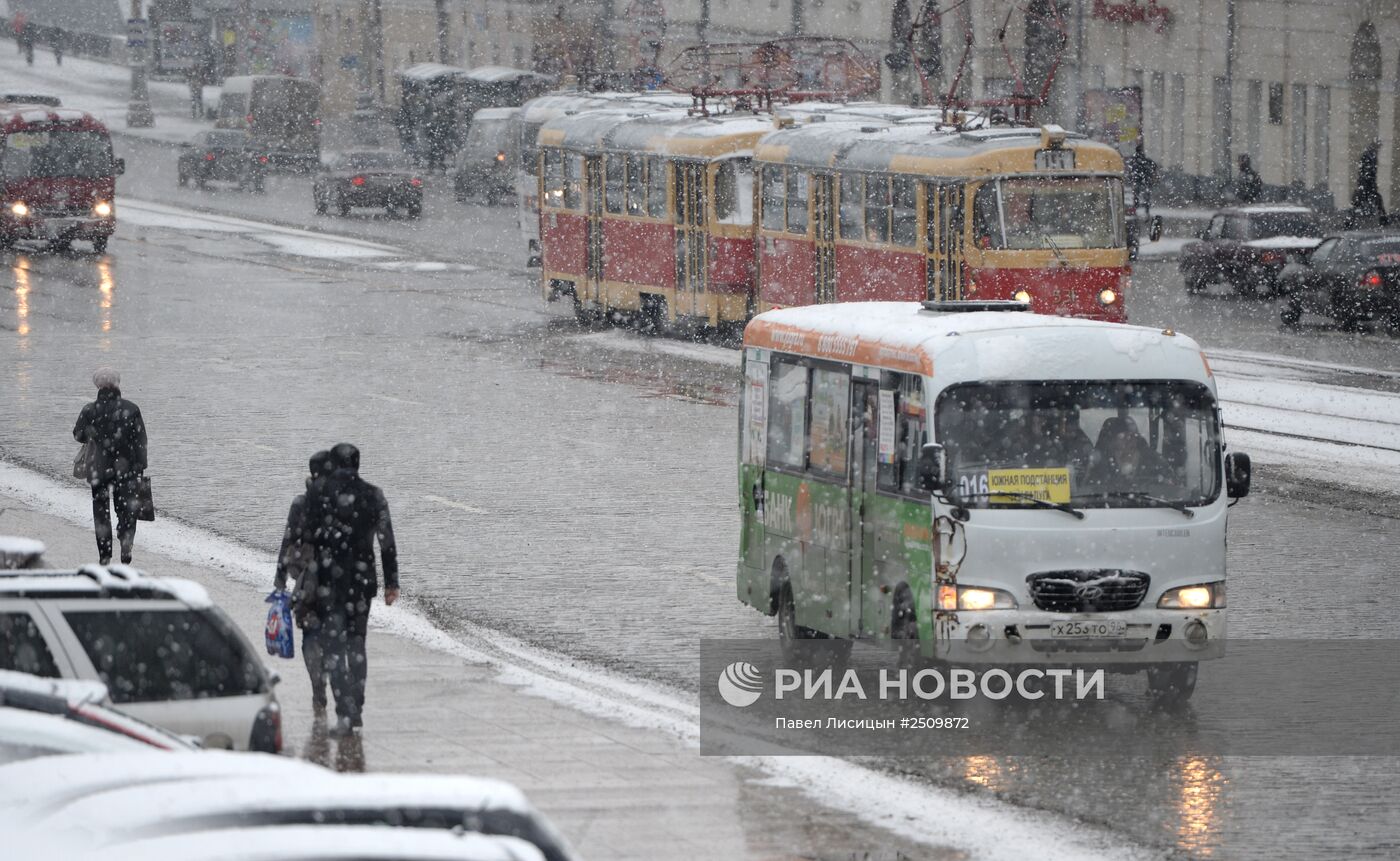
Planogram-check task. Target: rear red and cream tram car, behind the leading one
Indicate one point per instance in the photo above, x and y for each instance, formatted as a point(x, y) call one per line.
point(652, 215)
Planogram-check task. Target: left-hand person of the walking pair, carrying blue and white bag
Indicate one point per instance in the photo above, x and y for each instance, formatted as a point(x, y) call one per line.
point(296, 562)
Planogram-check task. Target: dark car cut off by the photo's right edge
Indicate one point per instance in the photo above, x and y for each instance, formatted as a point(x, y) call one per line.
point(1350, 278)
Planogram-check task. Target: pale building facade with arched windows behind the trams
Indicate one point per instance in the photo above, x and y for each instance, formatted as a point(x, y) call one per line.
point(1301, 86)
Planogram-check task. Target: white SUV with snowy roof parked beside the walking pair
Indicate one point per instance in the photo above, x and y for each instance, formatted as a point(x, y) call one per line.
point(166, 653)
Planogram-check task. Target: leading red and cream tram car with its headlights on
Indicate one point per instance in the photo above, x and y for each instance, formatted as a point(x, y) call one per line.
point(918, 211)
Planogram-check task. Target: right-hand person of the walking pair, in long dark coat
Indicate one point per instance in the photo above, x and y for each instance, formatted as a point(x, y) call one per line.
point(348, 514)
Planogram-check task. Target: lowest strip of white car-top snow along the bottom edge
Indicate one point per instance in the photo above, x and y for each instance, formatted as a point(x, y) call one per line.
point(327, 843)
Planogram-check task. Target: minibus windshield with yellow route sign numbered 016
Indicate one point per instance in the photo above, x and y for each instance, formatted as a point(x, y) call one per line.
point(1111, 444)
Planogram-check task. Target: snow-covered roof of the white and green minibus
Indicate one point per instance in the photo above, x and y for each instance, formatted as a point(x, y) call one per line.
point(975, 345)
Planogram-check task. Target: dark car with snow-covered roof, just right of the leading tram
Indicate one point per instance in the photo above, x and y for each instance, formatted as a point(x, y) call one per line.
point(1247, 247)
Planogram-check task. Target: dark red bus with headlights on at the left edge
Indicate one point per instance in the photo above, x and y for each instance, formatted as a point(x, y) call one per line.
point(58, 177)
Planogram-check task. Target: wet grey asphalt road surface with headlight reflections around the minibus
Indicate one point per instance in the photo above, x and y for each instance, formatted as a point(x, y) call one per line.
point(582, 496)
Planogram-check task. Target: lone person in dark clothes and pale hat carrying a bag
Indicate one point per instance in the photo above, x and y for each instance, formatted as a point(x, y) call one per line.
point(117, 433)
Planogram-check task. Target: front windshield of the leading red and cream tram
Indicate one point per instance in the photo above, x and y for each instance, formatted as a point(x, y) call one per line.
point(1049, 212)
